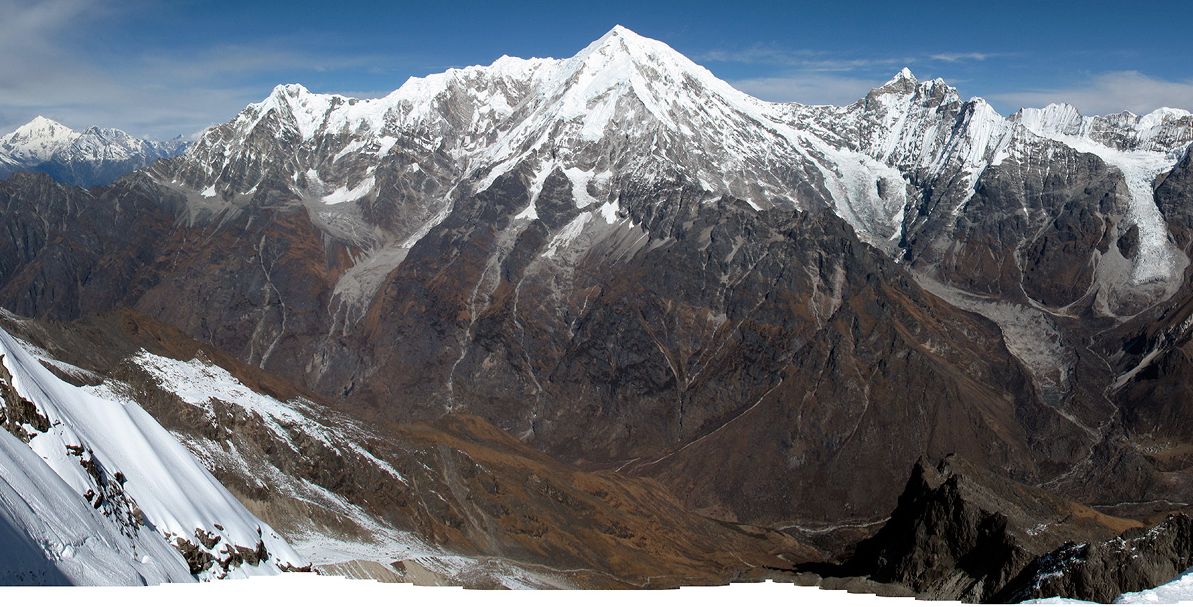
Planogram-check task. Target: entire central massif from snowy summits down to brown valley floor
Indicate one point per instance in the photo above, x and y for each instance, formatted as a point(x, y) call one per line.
point(772, 311)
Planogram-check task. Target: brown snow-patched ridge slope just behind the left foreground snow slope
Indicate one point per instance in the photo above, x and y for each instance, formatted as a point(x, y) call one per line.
point(466, 487)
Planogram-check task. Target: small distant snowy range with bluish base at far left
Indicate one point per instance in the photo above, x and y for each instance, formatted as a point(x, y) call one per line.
point(95, 157)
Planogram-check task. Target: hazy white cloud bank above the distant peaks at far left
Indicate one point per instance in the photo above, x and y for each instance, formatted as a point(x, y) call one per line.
point(158, 95)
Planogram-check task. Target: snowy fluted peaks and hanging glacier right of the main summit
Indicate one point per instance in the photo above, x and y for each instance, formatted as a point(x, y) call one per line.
point(944, 145)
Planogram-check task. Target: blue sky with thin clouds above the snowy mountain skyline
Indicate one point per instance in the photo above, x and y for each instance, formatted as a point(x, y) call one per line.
point(165, 69)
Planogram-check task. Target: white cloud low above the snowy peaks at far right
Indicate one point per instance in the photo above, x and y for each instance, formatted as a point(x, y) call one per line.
point(1108, 94)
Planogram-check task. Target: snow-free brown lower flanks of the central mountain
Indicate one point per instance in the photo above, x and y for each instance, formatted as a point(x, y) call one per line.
point(806, 370)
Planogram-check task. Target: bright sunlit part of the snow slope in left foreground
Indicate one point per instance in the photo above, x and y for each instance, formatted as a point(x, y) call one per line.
point(174, 492)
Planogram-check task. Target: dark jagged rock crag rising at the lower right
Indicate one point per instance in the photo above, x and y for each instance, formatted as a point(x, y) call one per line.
point(962, 534)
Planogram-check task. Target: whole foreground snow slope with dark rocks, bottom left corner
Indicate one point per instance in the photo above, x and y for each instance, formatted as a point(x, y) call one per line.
point(118, 499)
